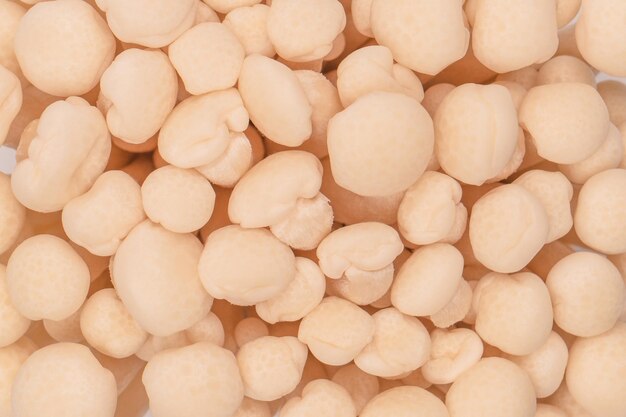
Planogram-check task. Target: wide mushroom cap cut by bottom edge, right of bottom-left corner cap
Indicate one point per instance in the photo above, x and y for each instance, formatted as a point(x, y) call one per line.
point(200, 379)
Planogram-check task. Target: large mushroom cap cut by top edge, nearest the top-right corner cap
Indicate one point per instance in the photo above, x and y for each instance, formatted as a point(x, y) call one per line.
point(507, 37)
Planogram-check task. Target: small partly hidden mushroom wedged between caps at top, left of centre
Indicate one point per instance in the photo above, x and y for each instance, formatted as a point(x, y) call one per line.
point(249, 24)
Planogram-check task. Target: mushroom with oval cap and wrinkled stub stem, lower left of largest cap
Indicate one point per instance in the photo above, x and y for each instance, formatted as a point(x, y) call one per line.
point(282, 192)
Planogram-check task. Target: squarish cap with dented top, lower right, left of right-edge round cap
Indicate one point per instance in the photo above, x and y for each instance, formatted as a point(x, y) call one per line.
point(513, 312)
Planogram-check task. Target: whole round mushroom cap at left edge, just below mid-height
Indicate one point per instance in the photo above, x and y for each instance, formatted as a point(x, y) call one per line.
point(46, 278)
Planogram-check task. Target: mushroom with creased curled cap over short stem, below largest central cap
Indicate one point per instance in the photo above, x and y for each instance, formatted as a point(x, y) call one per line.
point(359, 260)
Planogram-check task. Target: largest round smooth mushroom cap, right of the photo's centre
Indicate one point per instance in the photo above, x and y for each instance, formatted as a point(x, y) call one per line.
point(378, 131)
